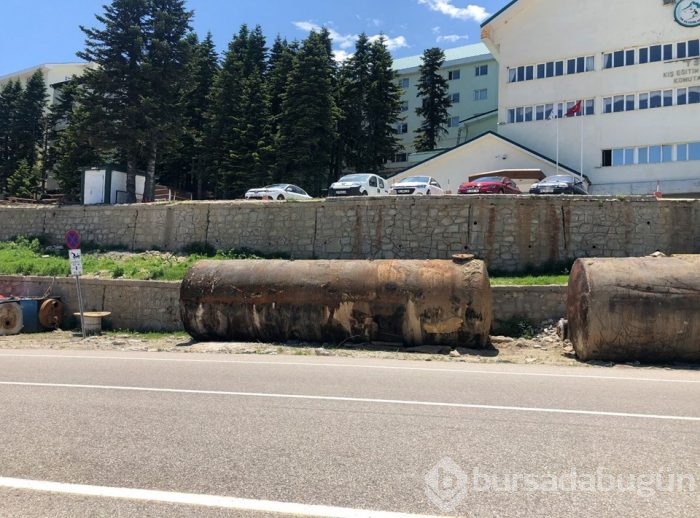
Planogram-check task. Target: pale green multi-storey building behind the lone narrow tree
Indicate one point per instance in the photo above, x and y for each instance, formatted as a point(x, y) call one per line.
point(472, 74)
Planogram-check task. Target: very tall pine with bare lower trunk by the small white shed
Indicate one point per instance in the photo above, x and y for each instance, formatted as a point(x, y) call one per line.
point(113, 95)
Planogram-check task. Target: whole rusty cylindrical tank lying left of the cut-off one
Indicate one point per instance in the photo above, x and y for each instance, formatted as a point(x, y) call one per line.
point(439, 302)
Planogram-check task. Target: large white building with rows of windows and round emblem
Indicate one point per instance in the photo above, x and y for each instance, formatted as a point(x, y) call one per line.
point(636, 67)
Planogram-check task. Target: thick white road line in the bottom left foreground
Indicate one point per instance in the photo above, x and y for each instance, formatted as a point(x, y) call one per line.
point(196, 499)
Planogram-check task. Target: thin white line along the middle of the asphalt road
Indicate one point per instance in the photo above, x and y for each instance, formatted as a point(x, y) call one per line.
point(353, 400)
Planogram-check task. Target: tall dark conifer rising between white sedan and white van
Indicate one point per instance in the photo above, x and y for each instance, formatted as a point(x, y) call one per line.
point(307, 122)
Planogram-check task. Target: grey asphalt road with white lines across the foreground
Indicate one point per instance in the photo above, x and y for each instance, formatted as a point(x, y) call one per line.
point(85, 433)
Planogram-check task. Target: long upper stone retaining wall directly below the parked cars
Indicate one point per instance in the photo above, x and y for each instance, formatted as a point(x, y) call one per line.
point(512, 233)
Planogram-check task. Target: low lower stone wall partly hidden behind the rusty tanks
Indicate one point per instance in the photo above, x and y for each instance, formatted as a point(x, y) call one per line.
point(154, 305)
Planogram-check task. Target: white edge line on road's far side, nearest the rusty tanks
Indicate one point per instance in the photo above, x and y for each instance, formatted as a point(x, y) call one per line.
point(352, 366)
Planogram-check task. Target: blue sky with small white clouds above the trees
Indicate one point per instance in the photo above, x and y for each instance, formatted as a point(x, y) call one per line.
point(46, 31)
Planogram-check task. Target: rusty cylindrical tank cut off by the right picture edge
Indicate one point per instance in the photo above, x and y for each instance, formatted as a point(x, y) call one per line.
point(641, 308)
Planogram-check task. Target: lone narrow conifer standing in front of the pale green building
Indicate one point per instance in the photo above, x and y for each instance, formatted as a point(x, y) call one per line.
point(435, 101)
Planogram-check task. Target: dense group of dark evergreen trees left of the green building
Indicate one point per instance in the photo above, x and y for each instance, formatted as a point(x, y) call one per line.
point(161, 102)
